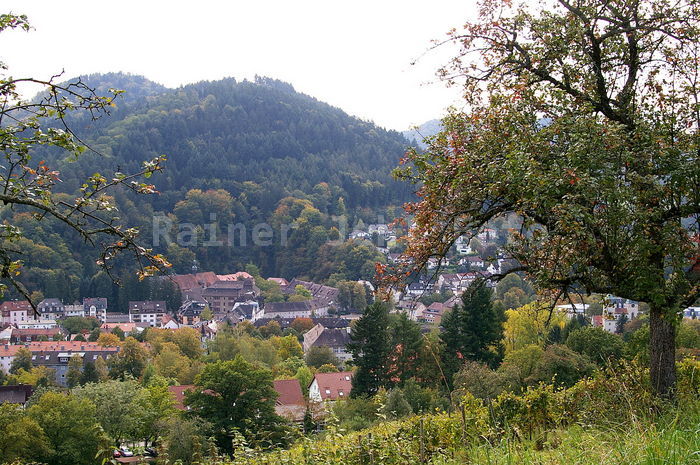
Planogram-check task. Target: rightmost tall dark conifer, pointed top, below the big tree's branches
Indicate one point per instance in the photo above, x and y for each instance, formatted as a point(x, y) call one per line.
point(472, 330)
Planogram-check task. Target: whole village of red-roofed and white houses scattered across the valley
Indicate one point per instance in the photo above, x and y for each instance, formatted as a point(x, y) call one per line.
point(211, 301)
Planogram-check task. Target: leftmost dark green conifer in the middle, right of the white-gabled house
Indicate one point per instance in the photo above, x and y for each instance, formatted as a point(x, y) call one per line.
point(370, 349)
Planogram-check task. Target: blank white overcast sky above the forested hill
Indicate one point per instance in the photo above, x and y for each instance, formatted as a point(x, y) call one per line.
point(354, 55)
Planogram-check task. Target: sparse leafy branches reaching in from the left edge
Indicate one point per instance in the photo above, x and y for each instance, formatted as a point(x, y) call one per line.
point(30, 185)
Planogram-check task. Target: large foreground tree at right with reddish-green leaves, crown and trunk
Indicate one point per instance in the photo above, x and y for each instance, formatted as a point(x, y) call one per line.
point(583, 122)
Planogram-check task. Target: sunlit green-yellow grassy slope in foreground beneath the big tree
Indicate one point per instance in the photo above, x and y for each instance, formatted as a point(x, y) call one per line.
point(609, 420)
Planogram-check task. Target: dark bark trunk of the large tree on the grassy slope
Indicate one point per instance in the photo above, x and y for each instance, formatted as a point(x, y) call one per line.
point(662, 352)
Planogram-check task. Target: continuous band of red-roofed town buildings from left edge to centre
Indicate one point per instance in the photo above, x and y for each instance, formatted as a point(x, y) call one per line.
point(229, 298)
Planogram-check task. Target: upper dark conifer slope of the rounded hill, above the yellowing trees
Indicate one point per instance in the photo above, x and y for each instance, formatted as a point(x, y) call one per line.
point(220, 134)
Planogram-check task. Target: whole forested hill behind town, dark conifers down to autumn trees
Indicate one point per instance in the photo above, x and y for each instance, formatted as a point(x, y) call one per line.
point(238, 153)
